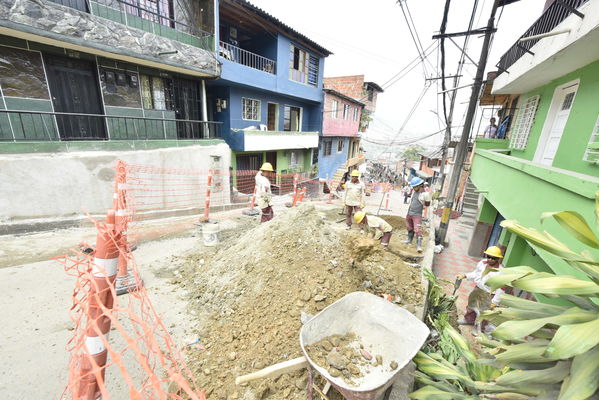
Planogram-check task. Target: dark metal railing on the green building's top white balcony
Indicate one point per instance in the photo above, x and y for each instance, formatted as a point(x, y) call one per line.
point(552, 16)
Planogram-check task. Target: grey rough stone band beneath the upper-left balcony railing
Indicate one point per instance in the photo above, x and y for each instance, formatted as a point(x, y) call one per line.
point(47, 19)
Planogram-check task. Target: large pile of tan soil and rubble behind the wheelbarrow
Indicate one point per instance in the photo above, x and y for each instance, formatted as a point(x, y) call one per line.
point(248, 293)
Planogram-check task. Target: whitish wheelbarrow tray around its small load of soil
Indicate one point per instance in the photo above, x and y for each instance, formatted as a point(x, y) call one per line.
point(383, 327)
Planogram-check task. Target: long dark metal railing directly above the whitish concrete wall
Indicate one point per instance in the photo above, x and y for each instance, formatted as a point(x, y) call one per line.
point(21, 126)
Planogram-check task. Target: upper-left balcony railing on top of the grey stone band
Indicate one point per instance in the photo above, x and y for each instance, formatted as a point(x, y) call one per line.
point(156, 21)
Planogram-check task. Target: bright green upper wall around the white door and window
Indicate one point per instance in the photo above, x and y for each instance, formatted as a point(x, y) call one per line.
point(579, 126)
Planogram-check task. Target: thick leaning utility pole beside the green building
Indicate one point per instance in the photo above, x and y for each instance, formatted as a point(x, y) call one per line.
point(462, 149)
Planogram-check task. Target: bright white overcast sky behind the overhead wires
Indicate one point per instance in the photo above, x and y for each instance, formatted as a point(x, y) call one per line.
point(372, 38)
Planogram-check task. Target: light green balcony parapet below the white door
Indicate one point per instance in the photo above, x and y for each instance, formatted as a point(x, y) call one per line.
point(522, 190)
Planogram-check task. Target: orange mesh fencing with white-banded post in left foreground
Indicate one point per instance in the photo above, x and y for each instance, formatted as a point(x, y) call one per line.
point(119, 349)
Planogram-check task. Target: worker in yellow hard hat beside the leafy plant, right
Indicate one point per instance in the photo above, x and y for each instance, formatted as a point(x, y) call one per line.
point(481, 298)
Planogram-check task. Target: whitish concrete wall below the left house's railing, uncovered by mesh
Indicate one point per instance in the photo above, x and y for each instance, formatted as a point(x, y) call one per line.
point(67, 184)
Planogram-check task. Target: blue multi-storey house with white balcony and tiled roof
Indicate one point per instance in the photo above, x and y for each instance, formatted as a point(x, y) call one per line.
point(269, 95)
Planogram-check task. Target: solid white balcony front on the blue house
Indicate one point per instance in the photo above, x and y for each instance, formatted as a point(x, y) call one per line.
point(274, 140)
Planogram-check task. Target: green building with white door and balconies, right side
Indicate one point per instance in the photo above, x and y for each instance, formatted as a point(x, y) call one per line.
point(548, 87)
